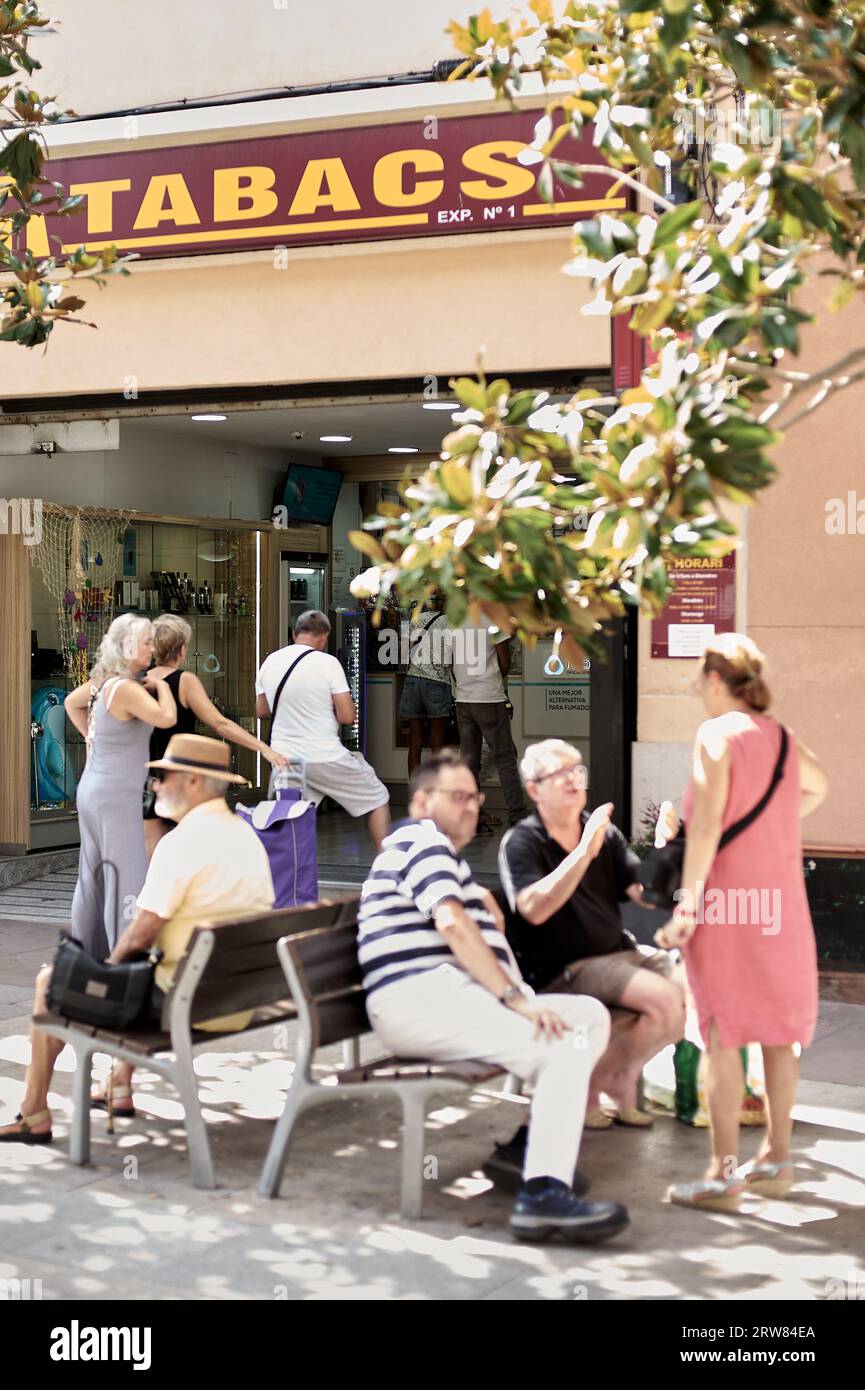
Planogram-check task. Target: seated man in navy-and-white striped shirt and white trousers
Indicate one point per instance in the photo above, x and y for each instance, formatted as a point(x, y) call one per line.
point(443, 986)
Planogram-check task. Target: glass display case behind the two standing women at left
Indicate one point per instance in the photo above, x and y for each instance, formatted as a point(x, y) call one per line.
point(208, 575)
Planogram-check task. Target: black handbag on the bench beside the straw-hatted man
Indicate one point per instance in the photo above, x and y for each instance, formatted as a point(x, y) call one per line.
point(113, 997)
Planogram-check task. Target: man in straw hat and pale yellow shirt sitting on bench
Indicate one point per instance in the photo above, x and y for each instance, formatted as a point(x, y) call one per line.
point(211, 868)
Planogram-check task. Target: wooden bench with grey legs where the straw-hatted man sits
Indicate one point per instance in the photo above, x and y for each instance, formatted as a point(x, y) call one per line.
point(227, 968)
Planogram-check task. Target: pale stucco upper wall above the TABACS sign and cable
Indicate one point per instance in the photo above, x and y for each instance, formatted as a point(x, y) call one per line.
point(115, 55)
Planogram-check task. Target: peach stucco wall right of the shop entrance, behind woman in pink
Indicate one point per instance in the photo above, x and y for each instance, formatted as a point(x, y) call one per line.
point(802, 597)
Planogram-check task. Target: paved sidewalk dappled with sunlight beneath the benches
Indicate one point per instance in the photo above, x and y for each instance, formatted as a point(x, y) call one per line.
point(133, 1227)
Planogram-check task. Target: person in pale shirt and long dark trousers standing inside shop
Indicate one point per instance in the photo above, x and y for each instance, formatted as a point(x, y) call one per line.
point(482, 661)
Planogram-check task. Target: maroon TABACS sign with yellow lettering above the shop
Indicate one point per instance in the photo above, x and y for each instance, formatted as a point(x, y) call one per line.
point(421, 179)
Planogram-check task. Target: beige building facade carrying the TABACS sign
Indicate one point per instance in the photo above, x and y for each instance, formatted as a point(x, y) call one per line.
point(328, 233)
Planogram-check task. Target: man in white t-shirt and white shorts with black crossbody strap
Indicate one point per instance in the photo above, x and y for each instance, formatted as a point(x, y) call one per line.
point(308, 707)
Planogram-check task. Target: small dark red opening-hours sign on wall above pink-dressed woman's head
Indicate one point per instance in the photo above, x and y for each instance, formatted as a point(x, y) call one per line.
point(702, 607)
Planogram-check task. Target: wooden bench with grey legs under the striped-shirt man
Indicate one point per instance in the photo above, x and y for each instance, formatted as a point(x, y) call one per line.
point(325, 979)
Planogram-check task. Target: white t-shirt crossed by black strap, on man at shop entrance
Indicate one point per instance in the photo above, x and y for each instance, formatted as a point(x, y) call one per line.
point(305, 725)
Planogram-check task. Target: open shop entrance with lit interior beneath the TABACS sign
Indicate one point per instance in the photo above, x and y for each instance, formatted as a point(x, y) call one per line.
point(243, 580)
